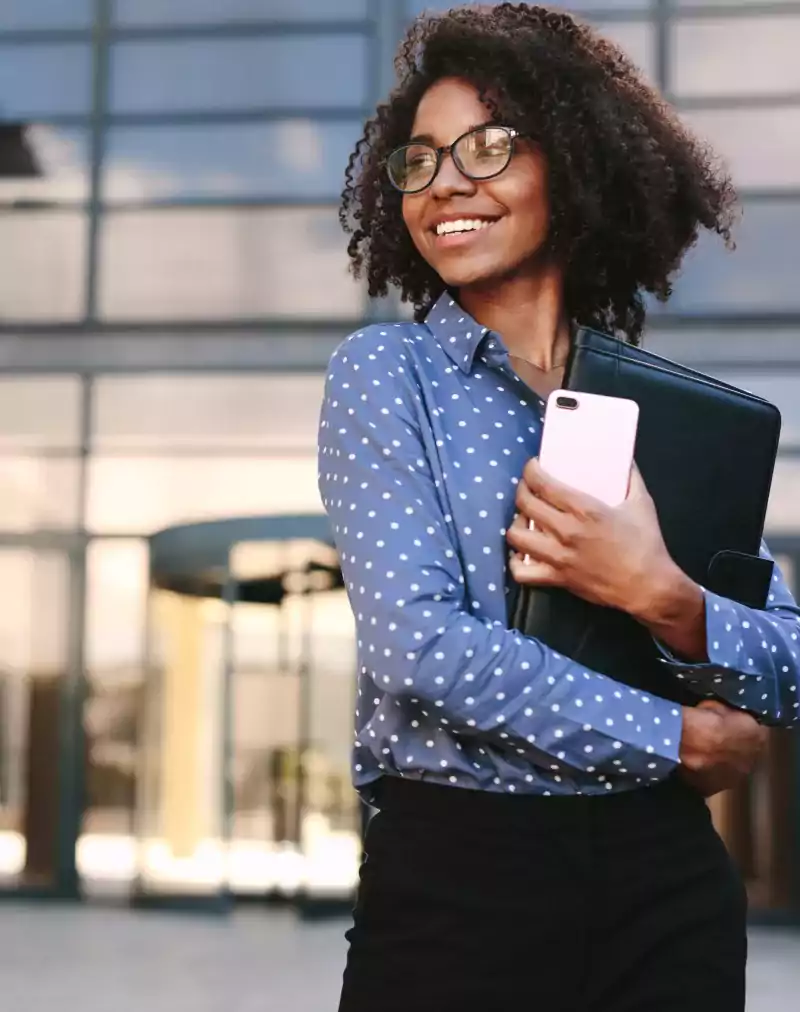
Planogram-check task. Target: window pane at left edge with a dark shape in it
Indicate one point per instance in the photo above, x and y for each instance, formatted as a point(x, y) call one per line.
point(63, 160)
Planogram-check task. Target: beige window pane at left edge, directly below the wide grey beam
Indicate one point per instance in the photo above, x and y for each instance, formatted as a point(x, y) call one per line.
point(40, 413)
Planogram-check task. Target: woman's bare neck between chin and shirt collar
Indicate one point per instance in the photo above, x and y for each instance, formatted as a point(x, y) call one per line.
point(529, 314)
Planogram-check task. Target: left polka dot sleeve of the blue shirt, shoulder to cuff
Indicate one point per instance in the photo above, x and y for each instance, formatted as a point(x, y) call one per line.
point(417, 637)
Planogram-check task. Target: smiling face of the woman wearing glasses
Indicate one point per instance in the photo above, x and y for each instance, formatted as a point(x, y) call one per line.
point(476, 232)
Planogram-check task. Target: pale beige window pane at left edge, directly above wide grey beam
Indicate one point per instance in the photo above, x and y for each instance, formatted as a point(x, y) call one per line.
point(45, 278)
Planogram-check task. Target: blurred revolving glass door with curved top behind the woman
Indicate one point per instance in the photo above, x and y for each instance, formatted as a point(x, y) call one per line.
point(247, 726)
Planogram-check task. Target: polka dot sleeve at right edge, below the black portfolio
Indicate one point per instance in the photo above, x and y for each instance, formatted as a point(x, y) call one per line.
point(753, 655)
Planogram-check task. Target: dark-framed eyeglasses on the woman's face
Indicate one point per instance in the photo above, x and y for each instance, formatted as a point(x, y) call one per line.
point(480, 154)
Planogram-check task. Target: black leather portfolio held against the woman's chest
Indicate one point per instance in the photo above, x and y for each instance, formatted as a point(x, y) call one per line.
point(706, 452)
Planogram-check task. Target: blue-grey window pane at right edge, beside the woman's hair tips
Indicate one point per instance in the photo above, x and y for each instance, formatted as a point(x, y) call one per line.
point(761, 275)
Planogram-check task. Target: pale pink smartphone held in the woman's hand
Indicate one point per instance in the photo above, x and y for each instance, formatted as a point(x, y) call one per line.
point(588, 443)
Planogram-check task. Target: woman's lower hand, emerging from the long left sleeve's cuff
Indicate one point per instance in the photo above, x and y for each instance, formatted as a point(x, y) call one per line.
point(720, 746)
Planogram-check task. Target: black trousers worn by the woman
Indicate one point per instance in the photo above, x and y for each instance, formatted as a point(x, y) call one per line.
point(472, 902)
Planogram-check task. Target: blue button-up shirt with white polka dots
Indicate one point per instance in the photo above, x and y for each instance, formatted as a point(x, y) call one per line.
point(424, 435)
